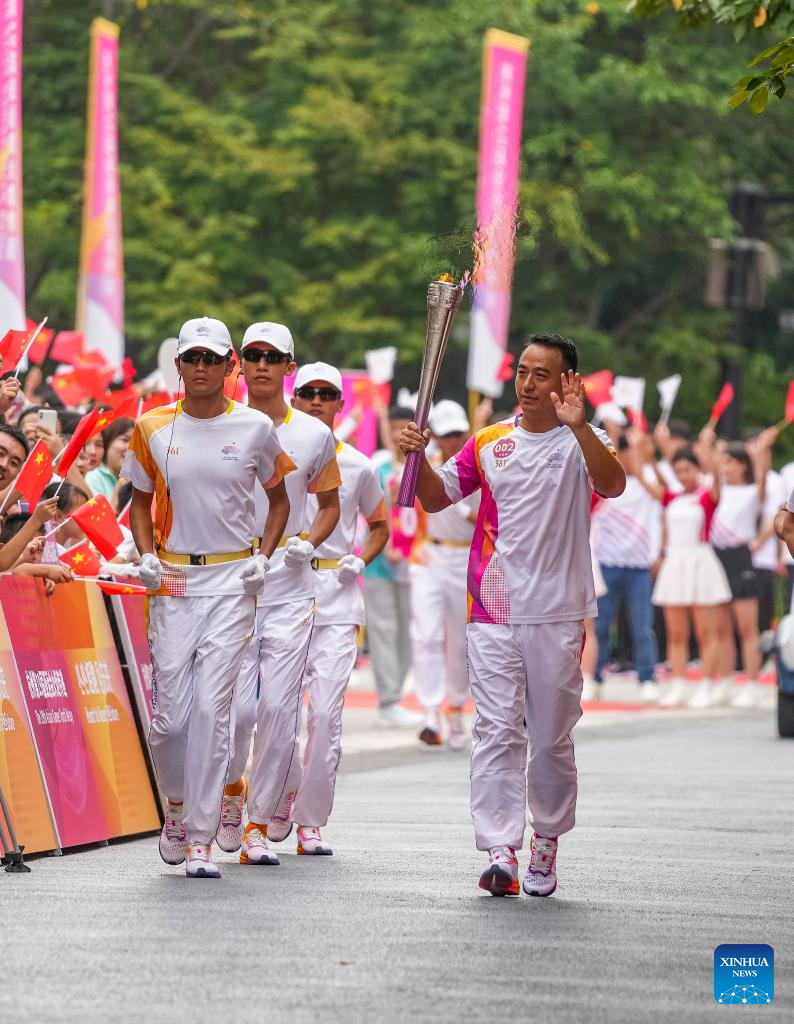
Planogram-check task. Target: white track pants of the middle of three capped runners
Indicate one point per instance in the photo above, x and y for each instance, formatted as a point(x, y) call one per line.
point(277, 660)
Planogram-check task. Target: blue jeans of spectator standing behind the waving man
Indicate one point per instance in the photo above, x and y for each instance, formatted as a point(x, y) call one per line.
point(636, 586)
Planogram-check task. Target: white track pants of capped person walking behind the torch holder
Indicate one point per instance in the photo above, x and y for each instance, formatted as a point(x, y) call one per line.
point(439, 612)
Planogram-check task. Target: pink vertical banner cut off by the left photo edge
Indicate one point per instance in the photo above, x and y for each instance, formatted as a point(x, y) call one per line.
point(12, 250)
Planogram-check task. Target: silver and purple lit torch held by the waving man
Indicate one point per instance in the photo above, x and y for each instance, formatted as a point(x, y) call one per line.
point(443, 301)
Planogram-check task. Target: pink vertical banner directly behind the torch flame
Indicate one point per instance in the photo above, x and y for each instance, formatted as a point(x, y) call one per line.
point(500, 137)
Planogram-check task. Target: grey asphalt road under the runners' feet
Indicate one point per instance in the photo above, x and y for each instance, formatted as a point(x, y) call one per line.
point(685, 842)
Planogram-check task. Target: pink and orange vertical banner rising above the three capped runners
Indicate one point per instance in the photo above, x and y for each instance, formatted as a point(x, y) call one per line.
point(101, 296)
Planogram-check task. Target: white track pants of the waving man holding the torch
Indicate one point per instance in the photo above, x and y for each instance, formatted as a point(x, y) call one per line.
point(520, 673)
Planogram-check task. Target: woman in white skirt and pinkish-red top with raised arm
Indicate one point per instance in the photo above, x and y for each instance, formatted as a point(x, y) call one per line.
point(691, 585)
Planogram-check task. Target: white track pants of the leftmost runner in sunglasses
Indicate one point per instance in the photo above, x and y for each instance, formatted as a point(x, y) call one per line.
point(198, 647)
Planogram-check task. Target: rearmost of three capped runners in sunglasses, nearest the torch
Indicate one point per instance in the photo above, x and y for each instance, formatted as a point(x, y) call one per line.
point(340, 608)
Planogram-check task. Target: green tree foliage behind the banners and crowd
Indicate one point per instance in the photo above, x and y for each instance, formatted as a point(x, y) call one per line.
point(316, 163)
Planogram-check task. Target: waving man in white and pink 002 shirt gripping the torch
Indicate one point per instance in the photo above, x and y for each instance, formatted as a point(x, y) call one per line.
point(530, 588)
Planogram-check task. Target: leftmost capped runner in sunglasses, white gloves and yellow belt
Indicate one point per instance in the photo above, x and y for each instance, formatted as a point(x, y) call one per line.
point(203, 457)
